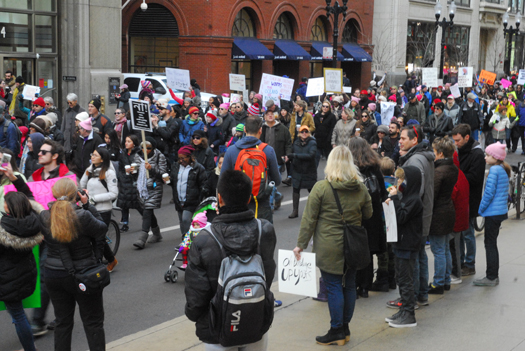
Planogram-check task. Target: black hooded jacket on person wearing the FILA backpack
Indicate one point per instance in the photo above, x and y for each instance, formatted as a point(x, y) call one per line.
point(238, 233)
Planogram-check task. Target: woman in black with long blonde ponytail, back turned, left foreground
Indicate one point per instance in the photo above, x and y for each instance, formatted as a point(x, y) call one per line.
point(77, 232)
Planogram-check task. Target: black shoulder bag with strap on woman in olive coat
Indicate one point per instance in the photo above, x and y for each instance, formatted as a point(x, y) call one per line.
point(356, 251)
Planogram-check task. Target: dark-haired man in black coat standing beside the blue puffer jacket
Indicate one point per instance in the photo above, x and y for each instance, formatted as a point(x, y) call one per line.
point(472, 163)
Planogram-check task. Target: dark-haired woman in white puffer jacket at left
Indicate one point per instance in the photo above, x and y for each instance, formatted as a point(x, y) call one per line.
point(100, 181)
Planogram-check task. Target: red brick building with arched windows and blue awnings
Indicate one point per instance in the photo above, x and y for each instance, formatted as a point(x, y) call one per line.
point(213, 38)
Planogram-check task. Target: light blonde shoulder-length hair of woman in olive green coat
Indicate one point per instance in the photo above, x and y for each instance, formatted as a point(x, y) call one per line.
point(340, 165)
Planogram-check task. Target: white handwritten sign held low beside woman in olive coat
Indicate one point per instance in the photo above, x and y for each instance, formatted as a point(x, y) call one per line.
point(297, 277)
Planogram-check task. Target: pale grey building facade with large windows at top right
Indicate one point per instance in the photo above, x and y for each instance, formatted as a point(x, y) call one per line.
point(405, 36)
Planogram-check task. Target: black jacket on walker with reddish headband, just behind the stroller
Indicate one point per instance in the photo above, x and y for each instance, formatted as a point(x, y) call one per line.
point(196, 187)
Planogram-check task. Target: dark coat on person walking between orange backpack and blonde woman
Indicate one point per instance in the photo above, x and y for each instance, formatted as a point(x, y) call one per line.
point(304, 169)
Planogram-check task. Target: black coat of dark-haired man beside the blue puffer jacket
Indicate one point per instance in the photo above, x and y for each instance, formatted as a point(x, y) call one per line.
point(472, 163)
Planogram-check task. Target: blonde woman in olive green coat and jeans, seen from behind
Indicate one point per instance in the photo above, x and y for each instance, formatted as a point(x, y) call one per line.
point(322, 221)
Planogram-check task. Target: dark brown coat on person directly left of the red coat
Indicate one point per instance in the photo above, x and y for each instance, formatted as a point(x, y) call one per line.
point(444, 214)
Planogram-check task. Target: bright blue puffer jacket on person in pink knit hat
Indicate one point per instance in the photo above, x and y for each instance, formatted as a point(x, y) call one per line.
point(494, 201)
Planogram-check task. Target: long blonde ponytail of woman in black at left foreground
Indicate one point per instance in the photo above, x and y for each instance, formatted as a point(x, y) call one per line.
point(64, 221)
